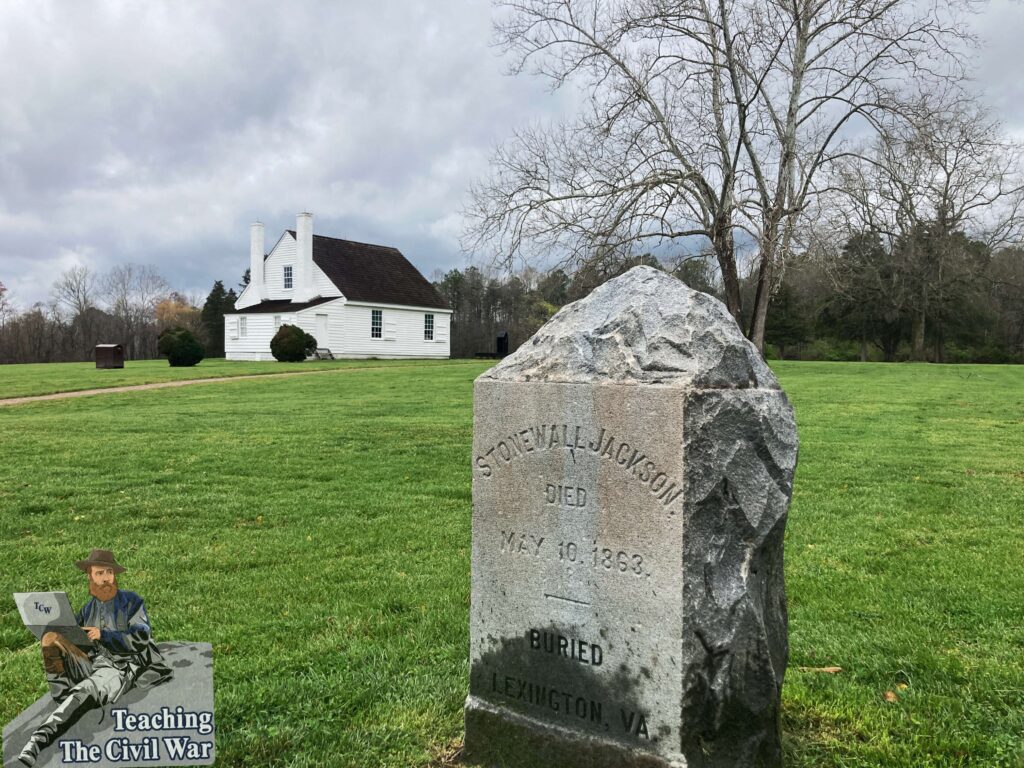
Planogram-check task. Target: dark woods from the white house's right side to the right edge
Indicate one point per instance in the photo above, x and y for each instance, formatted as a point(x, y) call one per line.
point(863, 307)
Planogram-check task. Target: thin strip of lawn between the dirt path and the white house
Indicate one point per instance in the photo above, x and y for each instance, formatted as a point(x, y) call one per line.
point(47, 378)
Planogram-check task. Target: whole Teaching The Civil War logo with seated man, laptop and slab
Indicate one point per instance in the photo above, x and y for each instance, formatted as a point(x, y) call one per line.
point(95, 658)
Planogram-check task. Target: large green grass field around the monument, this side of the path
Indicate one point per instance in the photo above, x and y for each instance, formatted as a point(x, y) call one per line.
point(316, 530)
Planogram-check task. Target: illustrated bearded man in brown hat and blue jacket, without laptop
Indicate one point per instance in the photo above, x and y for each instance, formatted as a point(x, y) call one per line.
point(122, 656)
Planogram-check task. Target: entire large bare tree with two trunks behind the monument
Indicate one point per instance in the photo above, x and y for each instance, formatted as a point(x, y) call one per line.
point(706, 119)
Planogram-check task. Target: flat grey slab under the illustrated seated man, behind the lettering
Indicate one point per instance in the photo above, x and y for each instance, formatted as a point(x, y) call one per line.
point(192, 689)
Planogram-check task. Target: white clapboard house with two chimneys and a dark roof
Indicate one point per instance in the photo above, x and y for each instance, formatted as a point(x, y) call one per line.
point(357, 300)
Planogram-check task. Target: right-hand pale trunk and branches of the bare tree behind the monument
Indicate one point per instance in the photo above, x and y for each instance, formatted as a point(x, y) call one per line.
point(803, 71)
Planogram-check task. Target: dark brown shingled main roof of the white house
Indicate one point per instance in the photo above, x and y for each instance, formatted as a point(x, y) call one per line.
point(373, 274)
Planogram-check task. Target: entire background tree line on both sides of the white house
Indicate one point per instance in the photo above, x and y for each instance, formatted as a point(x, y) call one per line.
point(856, 300)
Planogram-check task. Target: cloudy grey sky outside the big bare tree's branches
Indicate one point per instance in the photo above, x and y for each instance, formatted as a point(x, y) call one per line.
point(155, 134)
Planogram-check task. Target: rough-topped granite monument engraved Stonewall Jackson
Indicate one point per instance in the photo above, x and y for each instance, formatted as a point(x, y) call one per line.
point(632, 468)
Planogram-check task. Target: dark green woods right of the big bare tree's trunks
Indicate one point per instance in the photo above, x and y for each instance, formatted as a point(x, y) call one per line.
point(870, 306)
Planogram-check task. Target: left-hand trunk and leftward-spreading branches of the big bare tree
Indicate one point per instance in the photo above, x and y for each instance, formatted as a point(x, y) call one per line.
point(653, 159)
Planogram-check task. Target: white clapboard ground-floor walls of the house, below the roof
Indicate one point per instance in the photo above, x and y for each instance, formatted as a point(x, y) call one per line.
point(349, 332)
